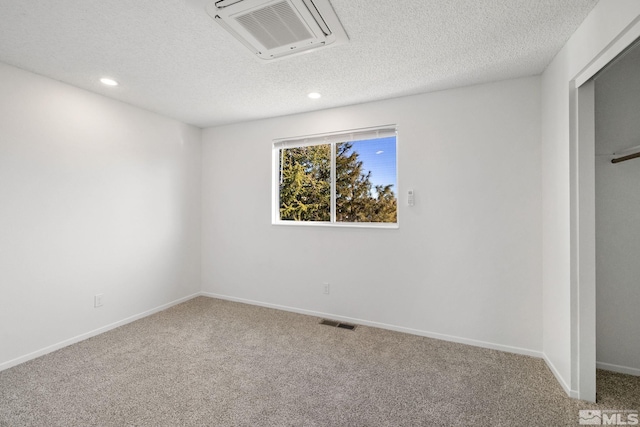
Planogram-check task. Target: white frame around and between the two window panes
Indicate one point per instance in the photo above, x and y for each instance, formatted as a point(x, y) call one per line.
point(331, 138)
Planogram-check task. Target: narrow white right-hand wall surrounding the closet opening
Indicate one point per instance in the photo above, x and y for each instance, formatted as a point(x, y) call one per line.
point(607, 20)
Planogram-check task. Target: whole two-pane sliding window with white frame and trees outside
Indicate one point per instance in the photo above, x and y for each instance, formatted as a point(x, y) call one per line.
point(346, 178)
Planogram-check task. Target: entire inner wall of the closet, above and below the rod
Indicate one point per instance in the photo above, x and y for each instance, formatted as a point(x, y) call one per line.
point(617, 119)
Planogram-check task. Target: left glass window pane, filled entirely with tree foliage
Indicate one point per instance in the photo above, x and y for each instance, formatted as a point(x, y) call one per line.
point(305, 183)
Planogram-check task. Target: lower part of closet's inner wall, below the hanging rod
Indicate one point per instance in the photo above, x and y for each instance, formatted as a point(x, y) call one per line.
point(618, 269)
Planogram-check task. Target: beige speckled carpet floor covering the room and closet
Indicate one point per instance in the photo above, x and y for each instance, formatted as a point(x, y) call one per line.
point(208, 362)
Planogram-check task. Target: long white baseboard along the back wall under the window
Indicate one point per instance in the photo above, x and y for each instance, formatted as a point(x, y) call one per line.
point(476, 343)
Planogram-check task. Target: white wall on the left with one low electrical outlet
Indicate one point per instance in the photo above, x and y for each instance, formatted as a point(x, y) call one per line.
point(95, 197)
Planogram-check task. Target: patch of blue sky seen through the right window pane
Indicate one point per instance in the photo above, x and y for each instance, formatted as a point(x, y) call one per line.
point(379, 157)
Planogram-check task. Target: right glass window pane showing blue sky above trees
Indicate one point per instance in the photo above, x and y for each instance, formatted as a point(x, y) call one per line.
point(366, 181)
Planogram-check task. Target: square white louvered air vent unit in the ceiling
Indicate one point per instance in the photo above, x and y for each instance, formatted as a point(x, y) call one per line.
point(272, 29)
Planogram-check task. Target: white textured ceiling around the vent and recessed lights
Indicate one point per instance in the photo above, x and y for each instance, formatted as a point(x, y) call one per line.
point(170, 57)
